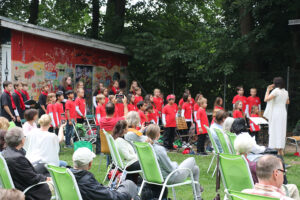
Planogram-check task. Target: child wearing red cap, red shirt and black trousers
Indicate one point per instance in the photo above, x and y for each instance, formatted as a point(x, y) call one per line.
point(169, 122)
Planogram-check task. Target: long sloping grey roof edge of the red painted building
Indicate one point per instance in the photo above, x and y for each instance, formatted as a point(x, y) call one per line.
point(59, 35)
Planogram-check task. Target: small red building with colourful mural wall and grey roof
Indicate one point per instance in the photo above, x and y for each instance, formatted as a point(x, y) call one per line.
point(39, 55)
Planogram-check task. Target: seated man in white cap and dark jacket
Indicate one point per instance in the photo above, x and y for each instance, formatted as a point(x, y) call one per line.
point(90, 188)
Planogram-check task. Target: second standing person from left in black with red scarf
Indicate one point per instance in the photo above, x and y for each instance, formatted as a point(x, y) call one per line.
point(19, 101)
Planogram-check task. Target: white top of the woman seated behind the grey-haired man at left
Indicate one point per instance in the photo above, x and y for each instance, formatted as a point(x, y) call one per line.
point(42, 146)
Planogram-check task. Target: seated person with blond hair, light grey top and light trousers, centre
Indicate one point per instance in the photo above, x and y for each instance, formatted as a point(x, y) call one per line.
point(167, 166)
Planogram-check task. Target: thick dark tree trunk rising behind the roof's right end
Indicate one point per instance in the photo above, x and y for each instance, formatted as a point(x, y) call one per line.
point(114, 20)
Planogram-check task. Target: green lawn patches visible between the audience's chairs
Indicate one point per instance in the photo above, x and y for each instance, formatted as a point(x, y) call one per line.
point(185, 192)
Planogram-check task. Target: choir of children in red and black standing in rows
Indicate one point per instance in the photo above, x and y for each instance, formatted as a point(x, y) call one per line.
point(151, 110)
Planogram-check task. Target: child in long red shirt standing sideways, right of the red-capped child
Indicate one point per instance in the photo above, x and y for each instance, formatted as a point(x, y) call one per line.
point(201, 130)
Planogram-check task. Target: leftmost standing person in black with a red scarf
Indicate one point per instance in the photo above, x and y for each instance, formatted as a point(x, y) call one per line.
point(8, 106)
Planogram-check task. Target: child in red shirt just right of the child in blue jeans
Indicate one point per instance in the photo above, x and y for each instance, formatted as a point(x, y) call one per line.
point(80, 106)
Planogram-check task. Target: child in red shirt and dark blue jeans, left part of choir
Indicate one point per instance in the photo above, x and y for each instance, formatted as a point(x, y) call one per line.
point(71, 117)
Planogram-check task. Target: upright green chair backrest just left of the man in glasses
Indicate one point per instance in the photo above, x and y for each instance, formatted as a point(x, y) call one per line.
point(235, 172)
